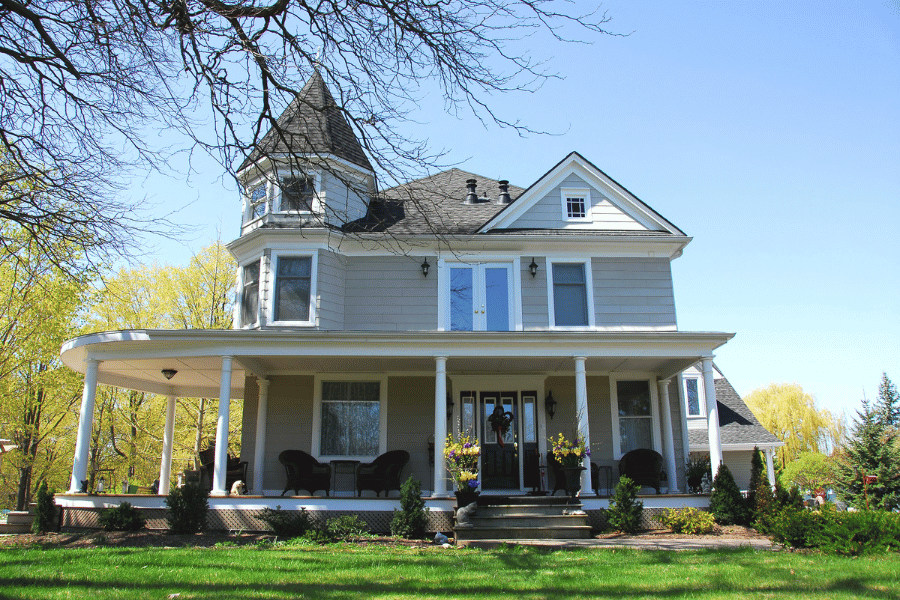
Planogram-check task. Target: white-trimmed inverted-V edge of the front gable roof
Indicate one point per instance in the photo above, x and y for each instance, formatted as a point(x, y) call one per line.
point(576, 163)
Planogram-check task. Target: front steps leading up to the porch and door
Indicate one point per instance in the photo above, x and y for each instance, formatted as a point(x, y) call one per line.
point(499, 519)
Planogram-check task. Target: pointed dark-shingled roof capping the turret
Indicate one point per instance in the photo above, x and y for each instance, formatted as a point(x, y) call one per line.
point(312, 124)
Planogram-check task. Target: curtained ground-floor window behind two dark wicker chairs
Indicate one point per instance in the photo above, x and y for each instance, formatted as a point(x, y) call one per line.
point(351, 418)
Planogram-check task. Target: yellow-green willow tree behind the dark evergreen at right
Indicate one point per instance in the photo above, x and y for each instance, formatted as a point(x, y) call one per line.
point(792, 415)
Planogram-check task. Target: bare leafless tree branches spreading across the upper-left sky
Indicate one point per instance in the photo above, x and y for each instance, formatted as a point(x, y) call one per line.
point(91, 90)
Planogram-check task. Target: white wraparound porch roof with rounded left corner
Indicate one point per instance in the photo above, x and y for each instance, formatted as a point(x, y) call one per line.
point(135, 359)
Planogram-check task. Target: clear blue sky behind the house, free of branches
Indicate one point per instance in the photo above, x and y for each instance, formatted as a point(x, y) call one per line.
point(770, 132)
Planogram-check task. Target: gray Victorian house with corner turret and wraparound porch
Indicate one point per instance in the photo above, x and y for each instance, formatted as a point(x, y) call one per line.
point(371, 320)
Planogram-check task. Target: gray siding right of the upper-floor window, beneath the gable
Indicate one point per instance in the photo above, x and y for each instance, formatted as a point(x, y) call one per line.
point(633, 292)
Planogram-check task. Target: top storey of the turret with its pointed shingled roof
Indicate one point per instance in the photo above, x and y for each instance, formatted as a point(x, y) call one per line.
point(309, 170)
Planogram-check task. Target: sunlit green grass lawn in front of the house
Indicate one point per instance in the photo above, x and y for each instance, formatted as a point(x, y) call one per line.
point(342, 571)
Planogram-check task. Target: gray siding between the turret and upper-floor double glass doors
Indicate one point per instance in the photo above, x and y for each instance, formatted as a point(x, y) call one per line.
point(389, 293)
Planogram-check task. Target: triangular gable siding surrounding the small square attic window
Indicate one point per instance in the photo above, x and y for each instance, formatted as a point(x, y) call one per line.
point(547, 212)
